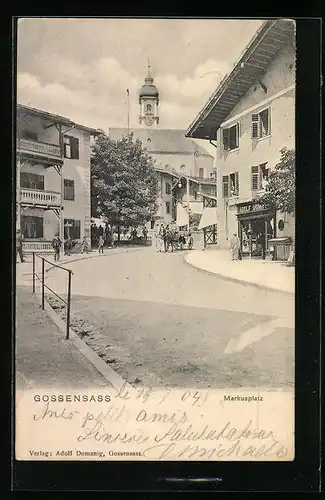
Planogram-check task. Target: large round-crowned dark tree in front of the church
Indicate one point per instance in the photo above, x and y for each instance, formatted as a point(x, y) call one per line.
point(123, 181)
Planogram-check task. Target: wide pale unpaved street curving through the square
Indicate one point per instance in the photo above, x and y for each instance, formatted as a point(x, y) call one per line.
point(159, 321)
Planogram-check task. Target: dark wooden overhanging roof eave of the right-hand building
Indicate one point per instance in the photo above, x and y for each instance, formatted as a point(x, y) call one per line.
point(251, 66)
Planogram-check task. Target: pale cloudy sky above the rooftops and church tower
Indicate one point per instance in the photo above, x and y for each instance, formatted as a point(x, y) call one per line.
point(81, 68)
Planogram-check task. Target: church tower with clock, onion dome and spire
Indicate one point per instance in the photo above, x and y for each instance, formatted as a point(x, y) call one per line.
point(149, 102)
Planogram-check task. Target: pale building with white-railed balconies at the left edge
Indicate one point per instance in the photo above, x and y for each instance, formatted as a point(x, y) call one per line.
point(53, 178)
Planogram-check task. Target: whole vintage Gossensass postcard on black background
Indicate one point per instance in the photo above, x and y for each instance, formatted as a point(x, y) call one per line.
point(155, 239)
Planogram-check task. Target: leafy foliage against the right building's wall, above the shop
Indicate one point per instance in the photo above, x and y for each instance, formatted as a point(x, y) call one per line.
point(280, 190)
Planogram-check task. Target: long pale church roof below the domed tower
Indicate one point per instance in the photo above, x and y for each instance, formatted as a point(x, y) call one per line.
point(162, 140)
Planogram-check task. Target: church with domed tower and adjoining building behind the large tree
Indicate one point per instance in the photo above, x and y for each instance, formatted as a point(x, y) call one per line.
point(184, 169)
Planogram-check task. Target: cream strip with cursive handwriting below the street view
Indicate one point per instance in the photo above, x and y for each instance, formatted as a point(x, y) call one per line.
point(152, 424)
